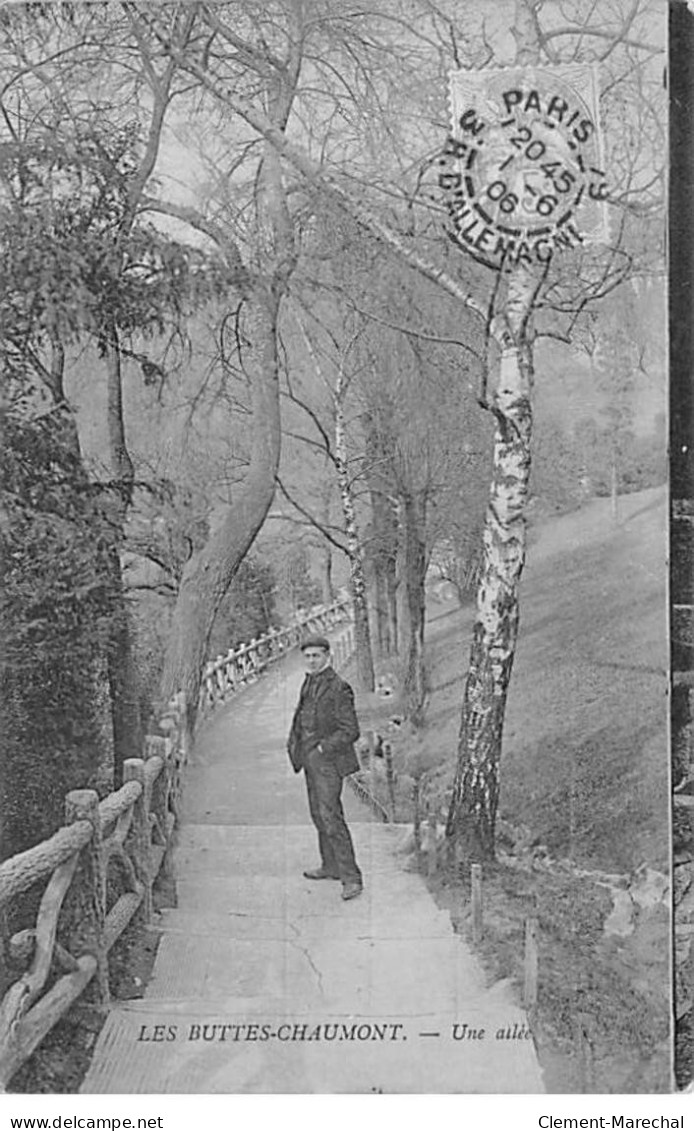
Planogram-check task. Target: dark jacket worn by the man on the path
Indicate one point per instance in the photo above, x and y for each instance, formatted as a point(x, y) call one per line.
point(337, 728)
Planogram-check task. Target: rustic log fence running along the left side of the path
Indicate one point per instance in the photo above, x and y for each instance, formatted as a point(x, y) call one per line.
point(90, 880)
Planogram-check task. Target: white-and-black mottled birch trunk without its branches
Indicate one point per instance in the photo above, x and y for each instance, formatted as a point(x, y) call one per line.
point(473, 811)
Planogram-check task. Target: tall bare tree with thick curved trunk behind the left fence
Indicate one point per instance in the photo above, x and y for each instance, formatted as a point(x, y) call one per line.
point(255, 232)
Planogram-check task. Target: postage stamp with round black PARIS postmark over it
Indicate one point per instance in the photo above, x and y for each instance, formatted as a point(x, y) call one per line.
point(522, 170)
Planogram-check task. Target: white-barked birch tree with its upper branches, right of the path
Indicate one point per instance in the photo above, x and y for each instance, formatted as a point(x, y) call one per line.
point(475, 799)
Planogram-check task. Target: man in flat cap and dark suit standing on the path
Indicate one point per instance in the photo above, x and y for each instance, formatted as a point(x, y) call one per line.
point(322, 743)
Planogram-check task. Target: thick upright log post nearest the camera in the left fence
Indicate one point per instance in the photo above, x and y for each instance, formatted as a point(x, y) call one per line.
point(83, 806)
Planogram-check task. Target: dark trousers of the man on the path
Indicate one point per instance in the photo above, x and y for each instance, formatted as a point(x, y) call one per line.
point(325, 787)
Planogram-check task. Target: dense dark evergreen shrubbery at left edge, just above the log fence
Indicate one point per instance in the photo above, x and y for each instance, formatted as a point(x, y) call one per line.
point(55, 609)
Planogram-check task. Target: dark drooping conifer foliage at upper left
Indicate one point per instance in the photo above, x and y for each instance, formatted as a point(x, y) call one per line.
point(75, 262)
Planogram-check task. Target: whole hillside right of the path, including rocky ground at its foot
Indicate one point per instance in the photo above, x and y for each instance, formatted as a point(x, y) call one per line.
point(584, 838)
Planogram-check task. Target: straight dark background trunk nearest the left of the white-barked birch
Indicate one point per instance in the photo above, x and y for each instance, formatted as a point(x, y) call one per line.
point(414, 574)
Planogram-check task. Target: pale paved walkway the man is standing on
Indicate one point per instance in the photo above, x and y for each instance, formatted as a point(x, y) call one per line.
point(266, 982)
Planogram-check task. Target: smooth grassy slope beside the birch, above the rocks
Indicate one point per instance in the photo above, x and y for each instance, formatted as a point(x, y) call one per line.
point(585, 763)
